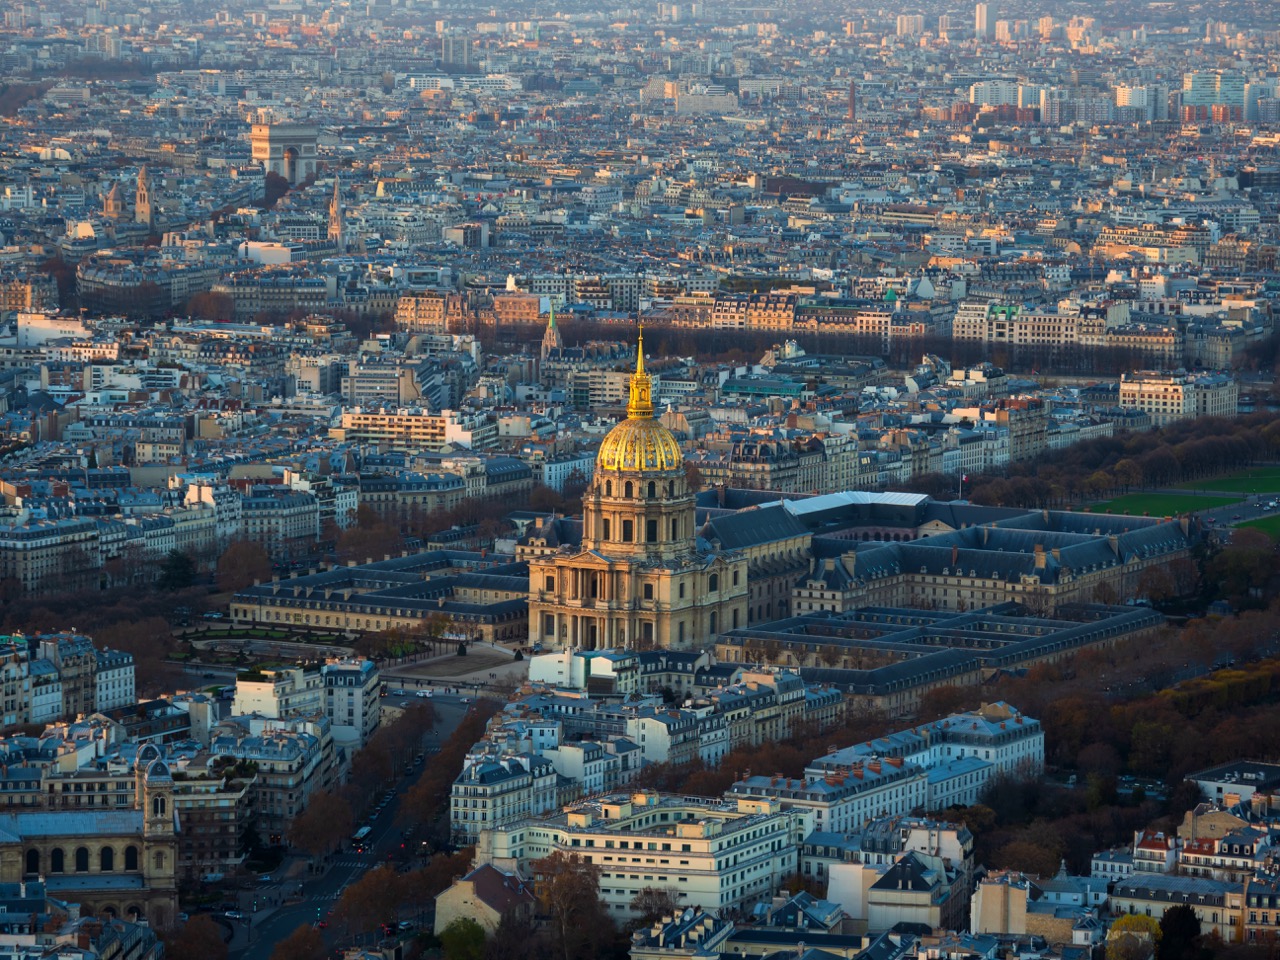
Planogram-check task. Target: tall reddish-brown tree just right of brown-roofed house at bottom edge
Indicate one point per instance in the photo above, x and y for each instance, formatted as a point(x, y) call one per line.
point(569, 897)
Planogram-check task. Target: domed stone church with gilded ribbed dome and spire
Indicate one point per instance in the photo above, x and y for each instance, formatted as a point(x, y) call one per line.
point(642, 577)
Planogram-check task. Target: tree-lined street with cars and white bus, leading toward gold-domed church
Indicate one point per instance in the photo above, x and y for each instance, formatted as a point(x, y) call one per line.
point(258, 939)
